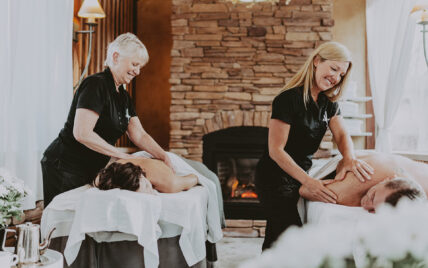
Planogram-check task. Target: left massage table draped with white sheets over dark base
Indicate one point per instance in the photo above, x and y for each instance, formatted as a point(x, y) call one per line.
point(119, 228)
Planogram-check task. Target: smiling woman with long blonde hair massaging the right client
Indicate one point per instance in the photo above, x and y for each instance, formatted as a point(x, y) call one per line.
point(301, 114)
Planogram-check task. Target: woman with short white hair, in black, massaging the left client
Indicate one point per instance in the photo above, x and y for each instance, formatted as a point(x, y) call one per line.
point(100, 113)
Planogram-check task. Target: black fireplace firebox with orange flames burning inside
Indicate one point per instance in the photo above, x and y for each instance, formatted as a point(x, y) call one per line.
point(232, 154)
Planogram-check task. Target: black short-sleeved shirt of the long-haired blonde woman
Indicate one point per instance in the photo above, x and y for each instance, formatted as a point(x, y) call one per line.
point(307, 125)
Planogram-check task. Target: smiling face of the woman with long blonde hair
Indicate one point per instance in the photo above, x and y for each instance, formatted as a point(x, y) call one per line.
point(329, 73)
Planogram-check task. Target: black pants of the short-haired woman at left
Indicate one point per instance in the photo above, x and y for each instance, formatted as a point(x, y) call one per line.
point(58, 179)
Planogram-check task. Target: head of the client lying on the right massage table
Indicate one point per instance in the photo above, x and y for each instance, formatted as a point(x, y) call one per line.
point(391, 191)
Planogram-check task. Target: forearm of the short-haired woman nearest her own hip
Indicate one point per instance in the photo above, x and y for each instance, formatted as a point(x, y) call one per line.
point(94, 142)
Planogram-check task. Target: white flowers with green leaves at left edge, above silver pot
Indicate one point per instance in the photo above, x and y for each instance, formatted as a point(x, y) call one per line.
point(12, 190)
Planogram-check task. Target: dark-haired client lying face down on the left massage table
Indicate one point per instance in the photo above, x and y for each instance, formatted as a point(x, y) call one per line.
point(140, 174)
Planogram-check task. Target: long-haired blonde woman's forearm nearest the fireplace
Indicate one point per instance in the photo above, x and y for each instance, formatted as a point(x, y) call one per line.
point(287, 164)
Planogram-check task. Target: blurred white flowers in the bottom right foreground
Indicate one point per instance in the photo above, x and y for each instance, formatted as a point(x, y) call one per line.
point(393, 237)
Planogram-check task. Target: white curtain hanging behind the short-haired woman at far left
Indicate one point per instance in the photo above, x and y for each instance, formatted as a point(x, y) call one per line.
point(36, 84)
